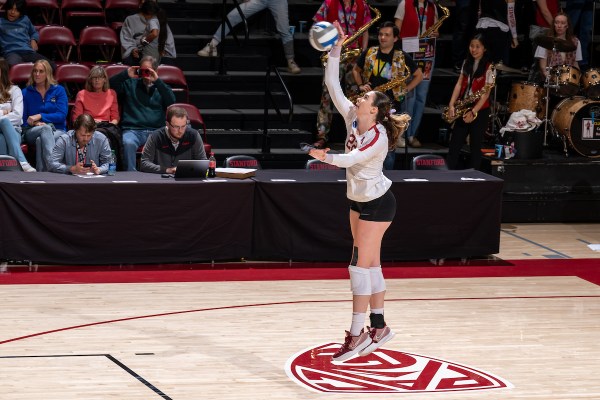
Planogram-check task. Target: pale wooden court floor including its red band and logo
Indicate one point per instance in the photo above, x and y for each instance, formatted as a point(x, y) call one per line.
point(521, 325)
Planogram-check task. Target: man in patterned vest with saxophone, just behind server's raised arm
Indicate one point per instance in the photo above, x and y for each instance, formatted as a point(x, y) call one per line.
point(379, 65)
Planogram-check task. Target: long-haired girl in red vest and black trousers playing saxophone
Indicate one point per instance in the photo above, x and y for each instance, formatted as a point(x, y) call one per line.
point(477, 73)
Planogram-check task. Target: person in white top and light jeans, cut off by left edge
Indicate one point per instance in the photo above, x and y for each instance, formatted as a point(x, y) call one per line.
point(11, 118)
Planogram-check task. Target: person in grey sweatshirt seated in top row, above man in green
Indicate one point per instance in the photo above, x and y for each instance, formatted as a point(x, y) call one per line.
point(139, 34)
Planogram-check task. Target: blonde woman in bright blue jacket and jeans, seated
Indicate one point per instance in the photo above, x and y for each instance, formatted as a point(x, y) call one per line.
point(45, 107)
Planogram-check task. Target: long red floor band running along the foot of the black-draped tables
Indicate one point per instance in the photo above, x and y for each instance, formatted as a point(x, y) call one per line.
point(588, 269)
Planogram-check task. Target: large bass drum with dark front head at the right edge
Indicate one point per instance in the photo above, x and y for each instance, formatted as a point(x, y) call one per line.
point(577, 119)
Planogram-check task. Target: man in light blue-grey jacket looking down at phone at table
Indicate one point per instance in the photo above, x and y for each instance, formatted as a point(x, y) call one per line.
point(81, 150)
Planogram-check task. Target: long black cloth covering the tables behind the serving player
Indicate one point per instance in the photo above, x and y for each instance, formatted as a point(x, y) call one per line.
point(278, 215)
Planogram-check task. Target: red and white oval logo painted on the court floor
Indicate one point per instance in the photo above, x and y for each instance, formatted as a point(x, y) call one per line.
point(385, 371)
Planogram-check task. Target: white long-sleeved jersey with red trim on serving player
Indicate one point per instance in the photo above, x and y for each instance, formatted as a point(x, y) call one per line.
point(364, 154)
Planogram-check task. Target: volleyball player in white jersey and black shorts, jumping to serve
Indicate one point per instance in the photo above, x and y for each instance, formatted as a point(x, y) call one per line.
point(371, 129)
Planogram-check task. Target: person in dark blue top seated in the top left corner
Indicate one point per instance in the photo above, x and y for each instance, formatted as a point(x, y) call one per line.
point(18, 37)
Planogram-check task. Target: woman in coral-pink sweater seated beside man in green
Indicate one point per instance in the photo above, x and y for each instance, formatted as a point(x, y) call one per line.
point(99, 101)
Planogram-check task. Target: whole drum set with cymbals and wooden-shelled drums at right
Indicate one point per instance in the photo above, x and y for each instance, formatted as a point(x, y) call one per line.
point(573, 97)
